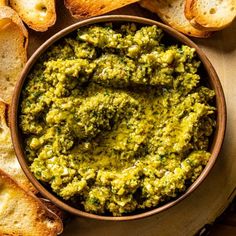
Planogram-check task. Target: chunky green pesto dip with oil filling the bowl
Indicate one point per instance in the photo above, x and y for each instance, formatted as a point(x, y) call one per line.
point(115, 118)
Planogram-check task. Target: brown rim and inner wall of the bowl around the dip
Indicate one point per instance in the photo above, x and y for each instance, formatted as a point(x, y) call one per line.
point(212, 80)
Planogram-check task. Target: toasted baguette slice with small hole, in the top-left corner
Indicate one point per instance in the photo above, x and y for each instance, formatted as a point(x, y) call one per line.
point(37, 14)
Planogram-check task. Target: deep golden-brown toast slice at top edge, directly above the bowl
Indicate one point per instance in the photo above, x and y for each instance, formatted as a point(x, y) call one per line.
point(88, 8)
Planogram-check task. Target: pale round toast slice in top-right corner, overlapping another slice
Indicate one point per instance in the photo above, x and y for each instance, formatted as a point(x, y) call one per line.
point(210, 15)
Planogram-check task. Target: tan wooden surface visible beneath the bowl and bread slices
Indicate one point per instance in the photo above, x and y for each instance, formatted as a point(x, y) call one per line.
point(218, 189)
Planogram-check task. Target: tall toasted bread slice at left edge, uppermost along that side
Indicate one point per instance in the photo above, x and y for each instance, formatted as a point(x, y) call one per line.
point(13, 51)
